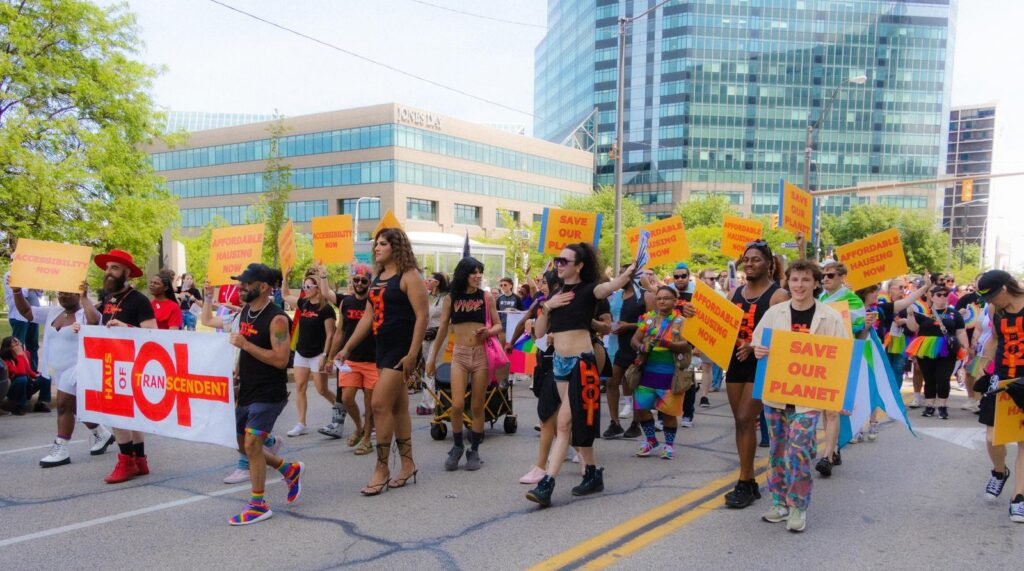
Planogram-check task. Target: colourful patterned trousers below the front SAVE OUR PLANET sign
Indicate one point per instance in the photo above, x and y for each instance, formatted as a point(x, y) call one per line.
point(793, 446)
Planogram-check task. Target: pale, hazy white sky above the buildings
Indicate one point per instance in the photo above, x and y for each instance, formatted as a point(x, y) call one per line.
point(216, 60)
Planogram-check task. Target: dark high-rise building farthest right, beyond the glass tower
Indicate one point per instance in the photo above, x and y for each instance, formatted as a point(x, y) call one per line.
point(972, 133)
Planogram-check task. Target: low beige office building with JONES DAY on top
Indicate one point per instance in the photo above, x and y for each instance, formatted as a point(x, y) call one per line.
point(438, 174)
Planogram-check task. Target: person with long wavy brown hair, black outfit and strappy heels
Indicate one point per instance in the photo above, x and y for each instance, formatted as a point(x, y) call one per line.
point(398, 318)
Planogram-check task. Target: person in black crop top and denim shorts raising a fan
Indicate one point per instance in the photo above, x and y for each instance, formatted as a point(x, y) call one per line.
point(569, 316)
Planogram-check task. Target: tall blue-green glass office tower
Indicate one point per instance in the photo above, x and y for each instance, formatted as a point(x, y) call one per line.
point(719, 95)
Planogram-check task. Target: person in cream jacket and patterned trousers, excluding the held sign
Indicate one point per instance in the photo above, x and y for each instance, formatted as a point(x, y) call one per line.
point(793, 429)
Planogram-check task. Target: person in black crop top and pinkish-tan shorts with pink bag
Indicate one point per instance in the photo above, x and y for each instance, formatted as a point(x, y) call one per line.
point(470, 311)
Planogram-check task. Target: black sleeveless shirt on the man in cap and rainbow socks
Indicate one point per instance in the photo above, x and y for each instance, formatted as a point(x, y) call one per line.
point(259, 381)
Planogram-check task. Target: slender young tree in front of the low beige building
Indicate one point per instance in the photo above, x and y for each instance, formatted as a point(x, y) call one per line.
point(273, 205)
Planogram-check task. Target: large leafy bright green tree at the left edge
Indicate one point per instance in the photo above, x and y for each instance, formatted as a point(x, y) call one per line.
point(75, 115)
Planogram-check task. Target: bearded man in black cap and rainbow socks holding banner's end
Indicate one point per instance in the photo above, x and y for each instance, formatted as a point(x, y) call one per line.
point(262, 333)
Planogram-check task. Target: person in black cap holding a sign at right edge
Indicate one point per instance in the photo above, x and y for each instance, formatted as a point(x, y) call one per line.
point(1001, 292)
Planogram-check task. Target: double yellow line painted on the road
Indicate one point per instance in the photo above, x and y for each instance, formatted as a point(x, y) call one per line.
point(624, 530)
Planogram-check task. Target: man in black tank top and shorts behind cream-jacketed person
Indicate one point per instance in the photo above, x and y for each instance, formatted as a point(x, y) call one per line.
point(755, 297)
